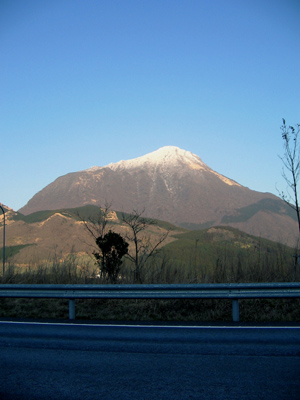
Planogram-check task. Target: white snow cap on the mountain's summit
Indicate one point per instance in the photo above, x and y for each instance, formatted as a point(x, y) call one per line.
point(171, 156)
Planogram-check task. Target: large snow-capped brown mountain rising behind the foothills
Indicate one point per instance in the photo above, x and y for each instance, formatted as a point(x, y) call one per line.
point(173, 185)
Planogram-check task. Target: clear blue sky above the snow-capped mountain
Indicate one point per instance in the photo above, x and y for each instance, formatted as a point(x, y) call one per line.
point(86, 83)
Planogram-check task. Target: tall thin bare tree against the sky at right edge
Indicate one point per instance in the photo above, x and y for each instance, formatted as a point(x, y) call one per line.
point(291, 166)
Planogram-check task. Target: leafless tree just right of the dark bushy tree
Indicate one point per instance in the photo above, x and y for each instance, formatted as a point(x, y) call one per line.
point(143, 246)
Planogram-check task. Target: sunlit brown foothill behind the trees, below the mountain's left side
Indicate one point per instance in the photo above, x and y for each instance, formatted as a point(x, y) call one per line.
point(52, 235)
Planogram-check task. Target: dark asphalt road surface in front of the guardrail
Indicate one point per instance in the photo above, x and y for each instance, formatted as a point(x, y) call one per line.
point(71, 361)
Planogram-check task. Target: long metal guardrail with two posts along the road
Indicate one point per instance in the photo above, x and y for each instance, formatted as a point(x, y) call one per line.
point(183, 291)
